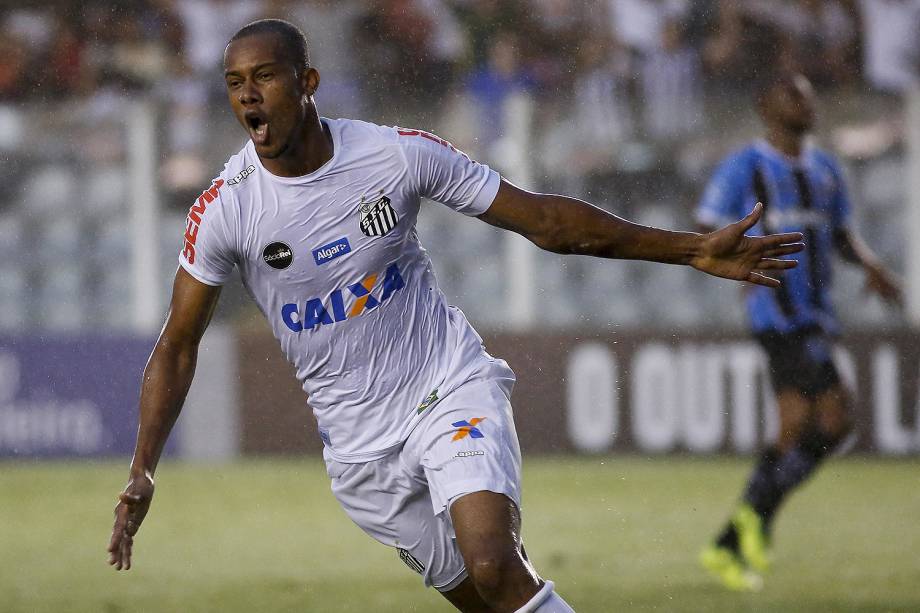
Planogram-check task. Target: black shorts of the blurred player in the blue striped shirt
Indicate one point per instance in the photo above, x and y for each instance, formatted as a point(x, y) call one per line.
point(800, 360)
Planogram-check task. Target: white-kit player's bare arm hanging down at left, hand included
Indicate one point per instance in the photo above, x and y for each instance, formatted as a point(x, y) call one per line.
point(166, 381)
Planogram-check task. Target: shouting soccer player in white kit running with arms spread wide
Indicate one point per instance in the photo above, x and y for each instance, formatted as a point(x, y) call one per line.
point(318, 216)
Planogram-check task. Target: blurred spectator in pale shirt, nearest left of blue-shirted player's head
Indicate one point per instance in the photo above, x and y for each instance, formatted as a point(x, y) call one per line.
point(671, 79)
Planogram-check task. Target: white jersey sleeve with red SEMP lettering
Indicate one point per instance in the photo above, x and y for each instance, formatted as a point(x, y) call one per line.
point(207, 251)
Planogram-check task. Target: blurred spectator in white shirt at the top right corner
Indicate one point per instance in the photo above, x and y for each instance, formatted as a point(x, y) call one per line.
point(891, 47)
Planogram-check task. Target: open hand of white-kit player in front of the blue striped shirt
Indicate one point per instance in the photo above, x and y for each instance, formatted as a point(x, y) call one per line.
point(729, 254)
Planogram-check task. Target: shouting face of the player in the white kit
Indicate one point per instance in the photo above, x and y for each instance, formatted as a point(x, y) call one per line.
point(268, 94)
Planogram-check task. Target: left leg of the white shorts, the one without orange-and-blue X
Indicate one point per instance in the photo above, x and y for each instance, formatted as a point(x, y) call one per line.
point(391, 503)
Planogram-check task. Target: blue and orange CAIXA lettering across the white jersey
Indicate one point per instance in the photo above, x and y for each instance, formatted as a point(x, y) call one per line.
point(345, 303)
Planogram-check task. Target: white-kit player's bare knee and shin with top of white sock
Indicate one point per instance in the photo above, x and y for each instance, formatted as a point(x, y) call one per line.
point(488, 528)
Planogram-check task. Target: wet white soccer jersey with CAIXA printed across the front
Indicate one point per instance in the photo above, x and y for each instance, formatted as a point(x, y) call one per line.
point(334, 262)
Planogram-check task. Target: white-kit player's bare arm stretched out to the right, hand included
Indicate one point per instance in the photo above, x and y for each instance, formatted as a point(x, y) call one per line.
point(568, 225)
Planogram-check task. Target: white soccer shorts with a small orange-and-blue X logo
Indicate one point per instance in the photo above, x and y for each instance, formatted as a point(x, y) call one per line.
point(467, 444)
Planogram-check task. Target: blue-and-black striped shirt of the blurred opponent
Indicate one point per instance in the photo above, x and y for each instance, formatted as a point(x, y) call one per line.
point(805, 194)
